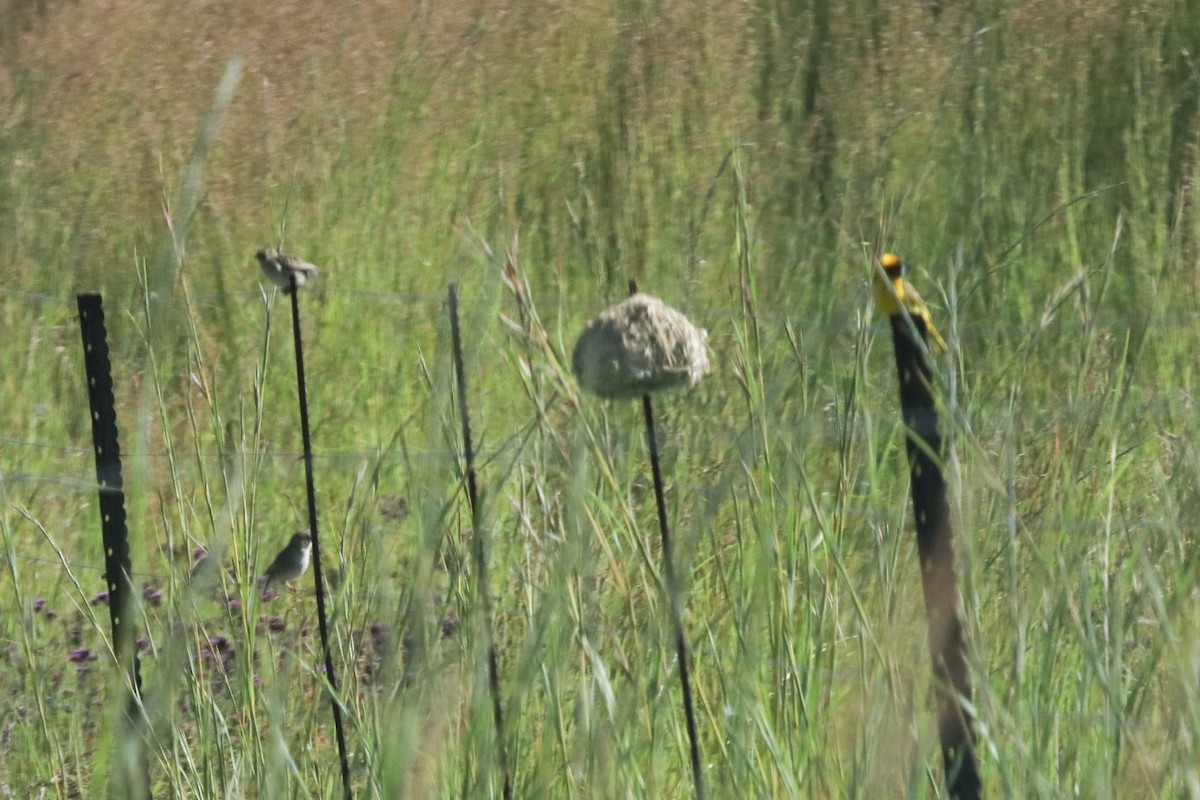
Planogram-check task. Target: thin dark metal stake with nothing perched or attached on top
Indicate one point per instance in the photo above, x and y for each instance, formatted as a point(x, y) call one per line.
point(479, 552)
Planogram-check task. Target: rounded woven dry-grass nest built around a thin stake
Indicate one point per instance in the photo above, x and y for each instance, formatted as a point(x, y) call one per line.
point(638, 347)
